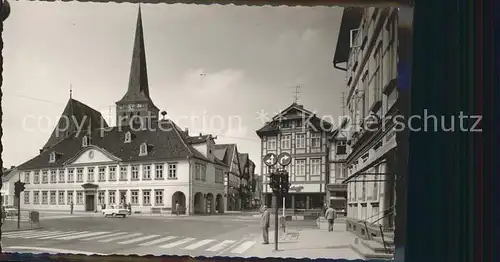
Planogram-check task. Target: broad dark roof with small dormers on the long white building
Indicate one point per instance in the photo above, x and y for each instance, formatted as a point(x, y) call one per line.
point(167, 144)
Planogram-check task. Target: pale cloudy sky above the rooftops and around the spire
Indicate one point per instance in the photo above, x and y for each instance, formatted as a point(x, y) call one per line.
point(212, 68)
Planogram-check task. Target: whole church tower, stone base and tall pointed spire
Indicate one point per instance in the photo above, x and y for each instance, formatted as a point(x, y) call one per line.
point(136, 105)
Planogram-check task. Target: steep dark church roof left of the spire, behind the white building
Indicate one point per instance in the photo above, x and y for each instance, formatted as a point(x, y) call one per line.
point(75, 113)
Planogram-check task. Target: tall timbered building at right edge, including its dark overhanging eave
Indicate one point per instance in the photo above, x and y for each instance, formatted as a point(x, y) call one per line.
point(367, 45)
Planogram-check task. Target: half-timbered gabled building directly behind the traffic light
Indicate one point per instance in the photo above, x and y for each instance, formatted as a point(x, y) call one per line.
point(305, 136)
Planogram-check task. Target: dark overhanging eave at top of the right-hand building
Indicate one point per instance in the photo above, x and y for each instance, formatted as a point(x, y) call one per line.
point(351, 19)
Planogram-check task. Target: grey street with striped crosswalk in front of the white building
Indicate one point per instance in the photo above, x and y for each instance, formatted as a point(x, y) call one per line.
point(194, 236)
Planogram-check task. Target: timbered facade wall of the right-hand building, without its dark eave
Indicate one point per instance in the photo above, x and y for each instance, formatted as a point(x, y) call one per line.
point(368, 163)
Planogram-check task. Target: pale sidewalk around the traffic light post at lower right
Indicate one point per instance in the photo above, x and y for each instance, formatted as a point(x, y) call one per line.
point(308, 243)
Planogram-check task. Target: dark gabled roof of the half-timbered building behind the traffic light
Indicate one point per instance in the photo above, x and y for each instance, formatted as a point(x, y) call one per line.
point(316, 122)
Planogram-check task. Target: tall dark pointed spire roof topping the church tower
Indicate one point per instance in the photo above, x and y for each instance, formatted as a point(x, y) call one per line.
point(138, 87)
